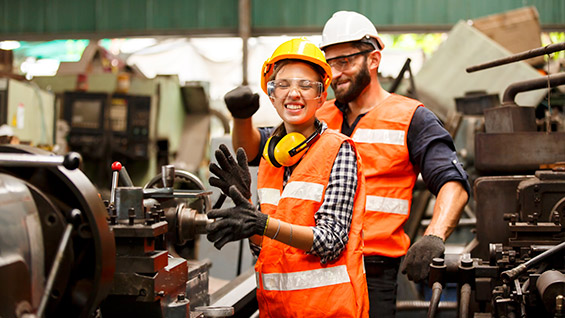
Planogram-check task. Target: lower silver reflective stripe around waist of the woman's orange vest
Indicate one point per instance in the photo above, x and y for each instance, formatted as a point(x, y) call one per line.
point(307, 279)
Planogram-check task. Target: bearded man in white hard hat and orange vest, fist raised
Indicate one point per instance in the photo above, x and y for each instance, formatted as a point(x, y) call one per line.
point(397, 139)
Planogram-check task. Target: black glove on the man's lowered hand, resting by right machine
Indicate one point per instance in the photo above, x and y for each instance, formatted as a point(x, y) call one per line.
point(416, 264)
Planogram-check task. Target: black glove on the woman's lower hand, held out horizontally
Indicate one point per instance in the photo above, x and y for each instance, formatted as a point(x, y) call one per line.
point(236, 223)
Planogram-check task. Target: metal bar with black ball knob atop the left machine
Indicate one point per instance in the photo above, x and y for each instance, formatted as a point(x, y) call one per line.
point(70, 161)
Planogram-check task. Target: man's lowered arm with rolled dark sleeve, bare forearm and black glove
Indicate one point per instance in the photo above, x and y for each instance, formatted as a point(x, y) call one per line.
point(432, 152)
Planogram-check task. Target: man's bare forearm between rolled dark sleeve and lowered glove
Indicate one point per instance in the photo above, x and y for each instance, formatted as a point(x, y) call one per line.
point(450, 201)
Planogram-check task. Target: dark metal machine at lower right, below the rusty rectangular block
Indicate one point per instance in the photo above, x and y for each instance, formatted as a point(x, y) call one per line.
point(520, 275)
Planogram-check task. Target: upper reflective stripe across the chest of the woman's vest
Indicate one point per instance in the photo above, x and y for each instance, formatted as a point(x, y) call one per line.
point(296, 190)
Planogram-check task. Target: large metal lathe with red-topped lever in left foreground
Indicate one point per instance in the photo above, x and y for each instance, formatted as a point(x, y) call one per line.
point(65, 252)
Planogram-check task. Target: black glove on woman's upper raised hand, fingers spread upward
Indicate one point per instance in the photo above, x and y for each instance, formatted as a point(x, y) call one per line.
point(230, 173)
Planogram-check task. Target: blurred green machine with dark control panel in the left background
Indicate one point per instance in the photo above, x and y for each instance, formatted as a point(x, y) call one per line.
point(141, 128)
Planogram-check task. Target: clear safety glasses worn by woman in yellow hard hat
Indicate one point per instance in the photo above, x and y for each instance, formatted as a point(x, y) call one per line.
point(308, 89)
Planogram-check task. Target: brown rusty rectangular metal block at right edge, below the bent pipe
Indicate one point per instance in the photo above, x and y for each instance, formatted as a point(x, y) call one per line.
point(519, 152)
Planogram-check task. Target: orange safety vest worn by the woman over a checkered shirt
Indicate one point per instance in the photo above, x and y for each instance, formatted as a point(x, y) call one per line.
point(291, 283)
